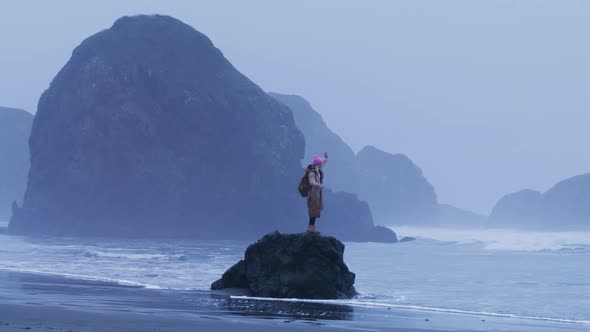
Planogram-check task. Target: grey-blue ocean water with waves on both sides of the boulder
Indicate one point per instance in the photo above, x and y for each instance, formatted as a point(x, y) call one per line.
point(498, 273)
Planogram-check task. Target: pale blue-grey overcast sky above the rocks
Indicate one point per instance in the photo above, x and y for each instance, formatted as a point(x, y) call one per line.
point(486, 97)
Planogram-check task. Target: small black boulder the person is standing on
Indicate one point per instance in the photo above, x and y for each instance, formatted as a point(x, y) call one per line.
point(307, 266)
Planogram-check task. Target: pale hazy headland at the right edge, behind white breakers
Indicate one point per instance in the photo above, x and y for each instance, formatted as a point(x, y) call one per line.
point(564, 206)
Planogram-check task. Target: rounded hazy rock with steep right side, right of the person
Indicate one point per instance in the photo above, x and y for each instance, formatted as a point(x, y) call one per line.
point(395, 188)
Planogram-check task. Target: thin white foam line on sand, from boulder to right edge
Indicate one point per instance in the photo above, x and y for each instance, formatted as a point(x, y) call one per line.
point(416, 308)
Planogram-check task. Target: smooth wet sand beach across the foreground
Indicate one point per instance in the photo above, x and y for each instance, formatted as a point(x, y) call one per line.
point(49, 302)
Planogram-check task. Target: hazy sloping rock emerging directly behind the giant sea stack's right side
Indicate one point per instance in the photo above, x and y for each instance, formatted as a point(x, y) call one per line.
point(343, 171)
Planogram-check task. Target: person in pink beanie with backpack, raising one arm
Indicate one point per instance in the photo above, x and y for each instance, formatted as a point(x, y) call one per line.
point(315, 202)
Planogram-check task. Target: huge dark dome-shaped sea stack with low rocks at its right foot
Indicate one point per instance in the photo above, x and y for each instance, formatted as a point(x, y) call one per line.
point(149, 131)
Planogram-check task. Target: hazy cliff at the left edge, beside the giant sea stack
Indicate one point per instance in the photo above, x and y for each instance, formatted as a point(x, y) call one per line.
point(15, 127)
